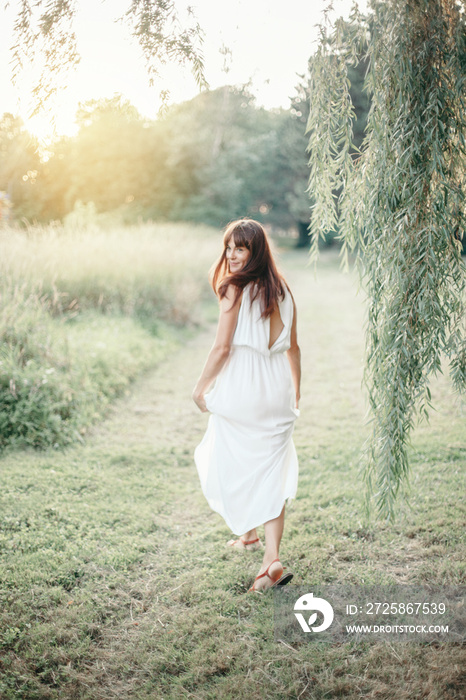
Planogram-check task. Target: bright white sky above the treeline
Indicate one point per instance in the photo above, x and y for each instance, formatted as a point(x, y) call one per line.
point(269, 43)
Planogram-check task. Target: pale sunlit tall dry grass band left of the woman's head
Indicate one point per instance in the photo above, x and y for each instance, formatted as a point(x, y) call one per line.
point(148, 269)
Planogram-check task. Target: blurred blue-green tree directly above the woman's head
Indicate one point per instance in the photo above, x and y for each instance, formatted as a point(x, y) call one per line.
point(223, 158)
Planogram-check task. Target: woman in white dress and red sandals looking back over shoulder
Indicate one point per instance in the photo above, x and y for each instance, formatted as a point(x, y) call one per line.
point(247, 461)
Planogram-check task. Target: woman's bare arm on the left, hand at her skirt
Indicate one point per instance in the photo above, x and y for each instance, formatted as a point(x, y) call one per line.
point(217, 357)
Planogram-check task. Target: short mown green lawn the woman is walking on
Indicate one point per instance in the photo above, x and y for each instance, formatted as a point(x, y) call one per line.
point(115, 581)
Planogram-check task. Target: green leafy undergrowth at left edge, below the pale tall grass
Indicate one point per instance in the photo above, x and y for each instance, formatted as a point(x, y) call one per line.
point(58, 377)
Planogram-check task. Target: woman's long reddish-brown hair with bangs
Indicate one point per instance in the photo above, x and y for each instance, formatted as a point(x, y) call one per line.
point(260, 268)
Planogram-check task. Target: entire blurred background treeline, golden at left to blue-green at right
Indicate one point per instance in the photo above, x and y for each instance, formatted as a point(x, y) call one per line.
point(208, 160)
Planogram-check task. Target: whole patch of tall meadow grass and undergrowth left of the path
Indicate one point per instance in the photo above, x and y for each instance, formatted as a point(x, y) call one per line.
point(83, 312)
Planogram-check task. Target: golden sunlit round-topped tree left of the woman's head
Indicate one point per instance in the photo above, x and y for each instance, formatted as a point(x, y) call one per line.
point(117, 160)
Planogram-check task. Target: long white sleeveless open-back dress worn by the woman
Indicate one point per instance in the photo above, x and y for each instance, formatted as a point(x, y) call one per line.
point(247, 461)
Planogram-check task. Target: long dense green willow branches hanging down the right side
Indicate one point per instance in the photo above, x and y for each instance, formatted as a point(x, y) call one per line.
point(399, 203)
